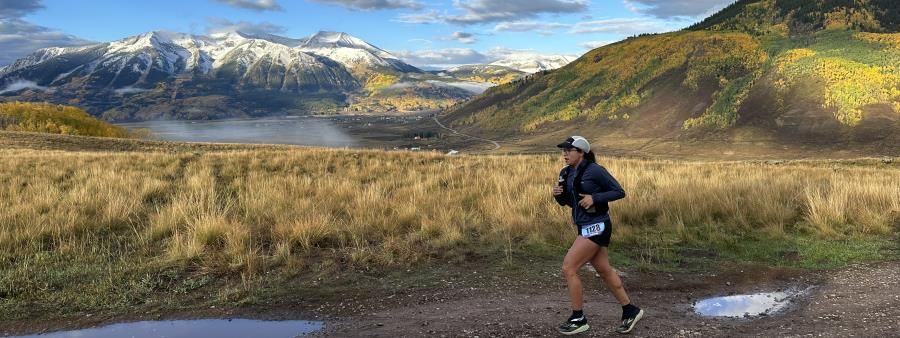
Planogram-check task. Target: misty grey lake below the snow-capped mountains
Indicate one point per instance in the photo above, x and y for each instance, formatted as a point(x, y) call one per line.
point(309, 131)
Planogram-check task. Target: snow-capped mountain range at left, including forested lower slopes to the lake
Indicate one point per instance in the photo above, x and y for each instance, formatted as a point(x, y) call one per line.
point(176, 75)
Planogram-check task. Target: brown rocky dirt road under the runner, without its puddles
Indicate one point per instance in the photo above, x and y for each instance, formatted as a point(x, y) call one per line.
point(858, 301)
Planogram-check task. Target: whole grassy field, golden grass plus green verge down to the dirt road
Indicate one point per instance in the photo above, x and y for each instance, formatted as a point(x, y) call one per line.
point(89, 231)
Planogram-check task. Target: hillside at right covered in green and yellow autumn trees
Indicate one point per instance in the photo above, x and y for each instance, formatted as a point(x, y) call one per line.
point(797, 68)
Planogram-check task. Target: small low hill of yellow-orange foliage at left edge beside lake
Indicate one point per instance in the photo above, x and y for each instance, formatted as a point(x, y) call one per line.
point(55, 119)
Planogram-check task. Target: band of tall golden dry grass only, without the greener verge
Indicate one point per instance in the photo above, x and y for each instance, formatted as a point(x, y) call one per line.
point(242, 210)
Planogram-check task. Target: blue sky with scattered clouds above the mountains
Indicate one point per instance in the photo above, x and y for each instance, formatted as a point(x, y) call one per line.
point(422, 32)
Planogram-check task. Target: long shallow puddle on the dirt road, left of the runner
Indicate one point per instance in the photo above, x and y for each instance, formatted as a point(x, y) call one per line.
point(222, 328)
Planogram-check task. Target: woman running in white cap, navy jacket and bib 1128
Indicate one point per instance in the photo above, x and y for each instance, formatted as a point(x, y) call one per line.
point(588, 188)
